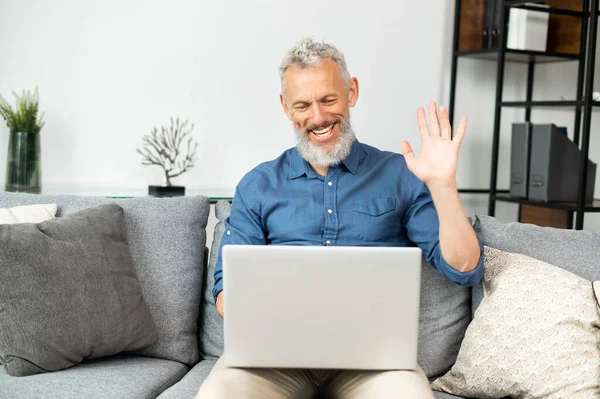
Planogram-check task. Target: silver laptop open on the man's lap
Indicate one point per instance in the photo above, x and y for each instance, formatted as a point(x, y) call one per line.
point(321, 307)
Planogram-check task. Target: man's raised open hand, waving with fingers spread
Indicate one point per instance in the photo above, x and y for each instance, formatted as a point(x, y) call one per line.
point(438, 161)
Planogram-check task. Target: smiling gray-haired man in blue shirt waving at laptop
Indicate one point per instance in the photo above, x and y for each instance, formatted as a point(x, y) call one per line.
point(333, 190)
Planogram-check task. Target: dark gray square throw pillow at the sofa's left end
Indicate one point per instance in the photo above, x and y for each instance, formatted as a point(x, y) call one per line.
point(69, 292)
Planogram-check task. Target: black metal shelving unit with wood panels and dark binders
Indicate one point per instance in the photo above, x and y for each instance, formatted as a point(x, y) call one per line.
point(470, 23)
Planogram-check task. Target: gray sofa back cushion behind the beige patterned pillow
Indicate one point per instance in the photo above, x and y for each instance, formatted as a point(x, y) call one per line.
point(573, 250)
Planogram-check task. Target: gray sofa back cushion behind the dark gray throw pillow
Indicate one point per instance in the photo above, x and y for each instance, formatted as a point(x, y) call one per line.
point(167, 238)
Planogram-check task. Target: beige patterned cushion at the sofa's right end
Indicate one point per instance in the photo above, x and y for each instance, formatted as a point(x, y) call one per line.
point(536, 334)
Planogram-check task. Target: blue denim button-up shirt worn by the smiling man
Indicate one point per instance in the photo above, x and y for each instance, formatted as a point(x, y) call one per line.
point(371, 198)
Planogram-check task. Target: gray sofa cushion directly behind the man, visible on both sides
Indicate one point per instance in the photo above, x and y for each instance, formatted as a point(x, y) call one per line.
point(444, 317)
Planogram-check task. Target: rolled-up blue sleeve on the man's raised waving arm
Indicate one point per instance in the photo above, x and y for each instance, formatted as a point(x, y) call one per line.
point(422, 224)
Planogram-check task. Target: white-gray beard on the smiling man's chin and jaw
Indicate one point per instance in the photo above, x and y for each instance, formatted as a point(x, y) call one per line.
point(314, 155)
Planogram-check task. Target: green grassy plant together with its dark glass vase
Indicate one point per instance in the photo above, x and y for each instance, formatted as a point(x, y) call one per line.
point(23, 169)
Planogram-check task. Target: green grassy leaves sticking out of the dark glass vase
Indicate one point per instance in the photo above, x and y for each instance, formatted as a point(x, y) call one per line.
point(24, 117)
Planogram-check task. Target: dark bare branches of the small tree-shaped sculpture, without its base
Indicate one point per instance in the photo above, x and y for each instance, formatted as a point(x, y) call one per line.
point(163, 149)
